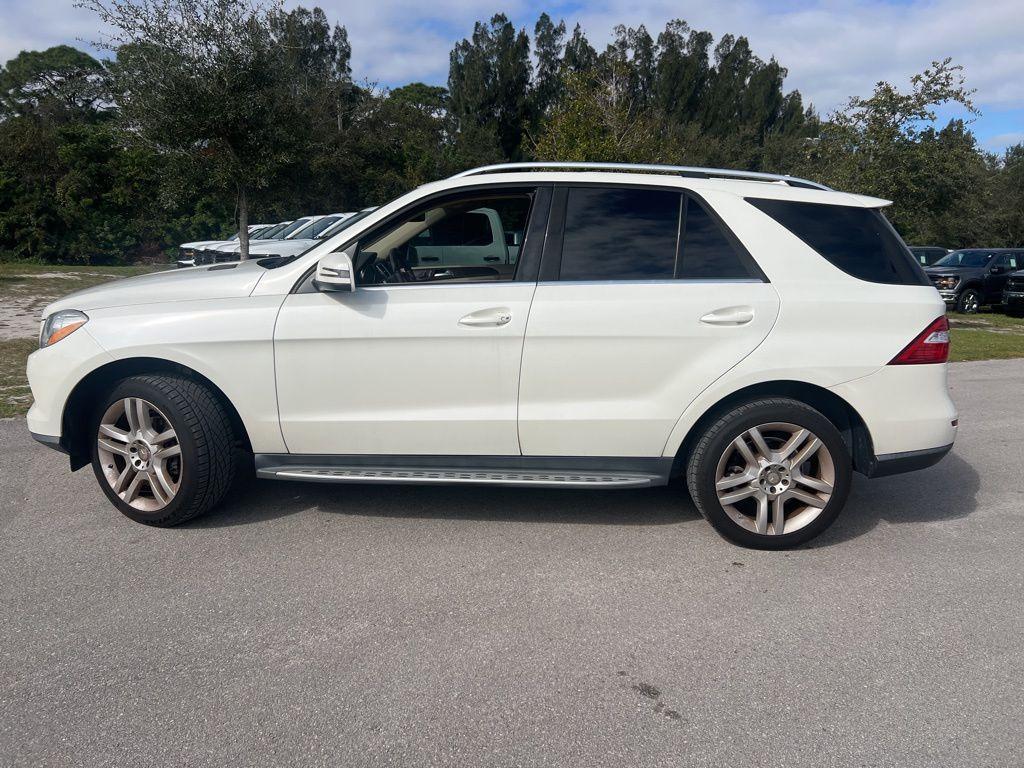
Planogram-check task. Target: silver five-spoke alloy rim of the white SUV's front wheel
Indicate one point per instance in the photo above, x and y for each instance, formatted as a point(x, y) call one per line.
point(140, 454)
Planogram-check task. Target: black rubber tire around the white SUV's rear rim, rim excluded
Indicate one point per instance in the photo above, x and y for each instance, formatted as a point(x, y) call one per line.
point(703, 465)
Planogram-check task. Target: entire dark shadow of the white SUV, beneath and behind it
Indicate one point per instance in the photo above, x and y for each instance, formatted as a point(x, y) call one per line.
point(942, 493)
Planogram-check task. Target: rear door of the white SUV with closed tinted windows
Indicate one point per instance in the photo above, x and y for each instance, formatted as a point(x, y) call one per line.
point(645, 301)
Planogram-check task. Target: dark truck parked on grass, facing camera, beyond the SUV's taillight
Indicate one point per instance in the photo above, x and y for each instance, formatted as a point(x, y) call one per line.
point(974, 277)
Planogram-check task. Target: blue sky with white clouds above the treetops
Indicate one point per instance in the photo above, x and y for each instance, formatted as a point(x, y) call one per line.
point(833, 49)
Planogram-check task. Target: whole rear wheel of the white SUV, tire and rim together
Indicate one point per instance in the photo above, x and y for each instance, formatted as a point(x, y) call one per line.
point(771, 475)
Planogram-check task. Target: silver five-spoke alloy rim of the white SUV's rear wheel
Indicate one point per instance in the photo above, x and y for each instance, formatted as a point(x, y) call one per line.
point(776, 479)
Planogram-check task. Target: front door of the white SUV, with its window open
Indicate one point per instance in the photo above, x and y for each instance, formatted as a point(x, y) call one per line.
point(417, 361)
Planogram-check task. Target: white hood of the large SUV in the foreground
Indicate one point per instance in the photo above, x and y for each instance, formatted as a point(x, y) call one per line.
point(219, 282)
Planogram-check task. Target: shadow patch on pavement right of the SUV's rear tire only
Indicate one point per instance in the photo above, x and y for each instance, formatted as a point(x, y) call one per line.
point(946, 492)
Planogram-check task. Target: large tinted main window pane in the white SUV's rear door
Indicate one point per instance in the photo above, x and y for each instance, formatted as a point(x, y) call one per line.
point(620, 235)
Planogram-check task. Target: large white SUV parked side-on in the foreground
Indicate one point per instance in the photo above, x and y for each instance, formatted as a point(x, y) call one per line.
point(761, 336)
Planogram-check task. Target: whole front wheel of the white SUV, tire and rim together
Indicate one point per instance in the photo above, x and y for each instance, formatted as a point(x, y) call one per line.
point(163, 450)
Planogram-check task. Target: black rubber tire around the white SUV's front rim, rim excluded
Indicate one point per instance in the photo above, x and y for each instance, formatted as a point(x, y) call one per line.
point(209, 459)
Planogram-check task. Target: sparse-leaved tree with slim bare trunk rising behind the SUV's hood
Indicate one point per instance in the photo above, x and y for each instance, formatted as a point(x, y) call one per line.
point(225, 83)
